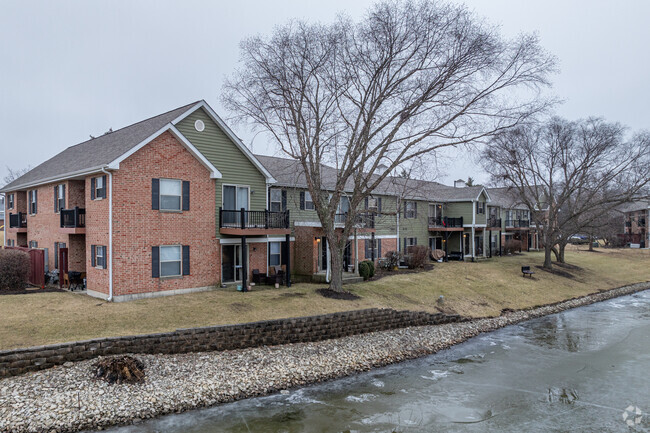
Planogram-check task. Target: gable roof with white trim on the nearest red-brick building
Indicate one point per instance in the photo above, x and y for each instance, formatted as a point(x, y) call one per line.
point(108, 150)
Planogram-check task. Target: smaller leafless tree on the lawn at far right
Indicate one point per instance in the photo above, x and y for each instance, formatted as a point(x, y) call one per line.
point(569, 174)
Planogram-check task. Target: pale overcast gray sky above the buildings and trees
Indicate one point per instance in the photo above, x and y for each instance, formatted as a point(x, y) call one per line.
point(74, 68)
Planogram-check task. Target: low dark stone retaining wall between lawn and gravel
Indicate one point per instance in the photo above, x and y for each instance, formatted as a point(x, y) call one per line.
point(228, 337)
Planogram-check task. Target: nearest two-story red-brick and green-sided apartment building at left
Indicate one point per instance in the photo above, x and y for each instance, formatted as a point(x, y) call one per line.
point(167, 205)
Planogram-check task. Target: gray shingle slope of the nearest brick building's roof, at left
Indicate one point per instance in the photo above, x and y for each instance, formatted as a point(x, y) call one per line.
point(96, 152)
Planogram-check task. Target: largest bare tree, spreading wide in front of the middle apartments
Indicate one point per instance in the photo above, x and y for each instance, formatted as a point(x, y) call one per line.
point(367, 97)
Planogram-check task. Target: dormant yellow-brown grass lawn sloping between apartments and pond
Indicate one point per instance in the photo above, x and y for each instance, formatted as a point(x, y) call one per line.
point(469, 289)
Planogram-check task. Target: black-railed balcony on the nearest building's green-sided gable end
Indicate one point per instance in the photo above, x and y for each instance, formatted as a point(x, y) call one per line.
point(253, 222)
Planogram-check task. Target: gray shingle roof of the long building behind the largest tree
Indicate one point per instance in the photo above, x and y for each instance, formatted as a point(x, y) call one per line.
point(289, 173)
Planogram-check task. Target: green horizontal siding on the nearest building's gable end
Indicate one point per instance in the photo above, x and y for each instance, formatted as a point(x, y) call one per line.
point(234, 166)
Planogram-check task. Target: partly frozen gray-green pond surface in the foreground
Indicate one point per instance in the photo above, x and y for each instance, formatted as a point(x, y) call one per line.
point(574, 371)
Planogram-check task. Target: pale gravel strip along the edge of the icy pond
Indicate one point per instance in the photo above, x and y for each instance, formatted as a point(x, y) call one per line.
point(67, 399)
